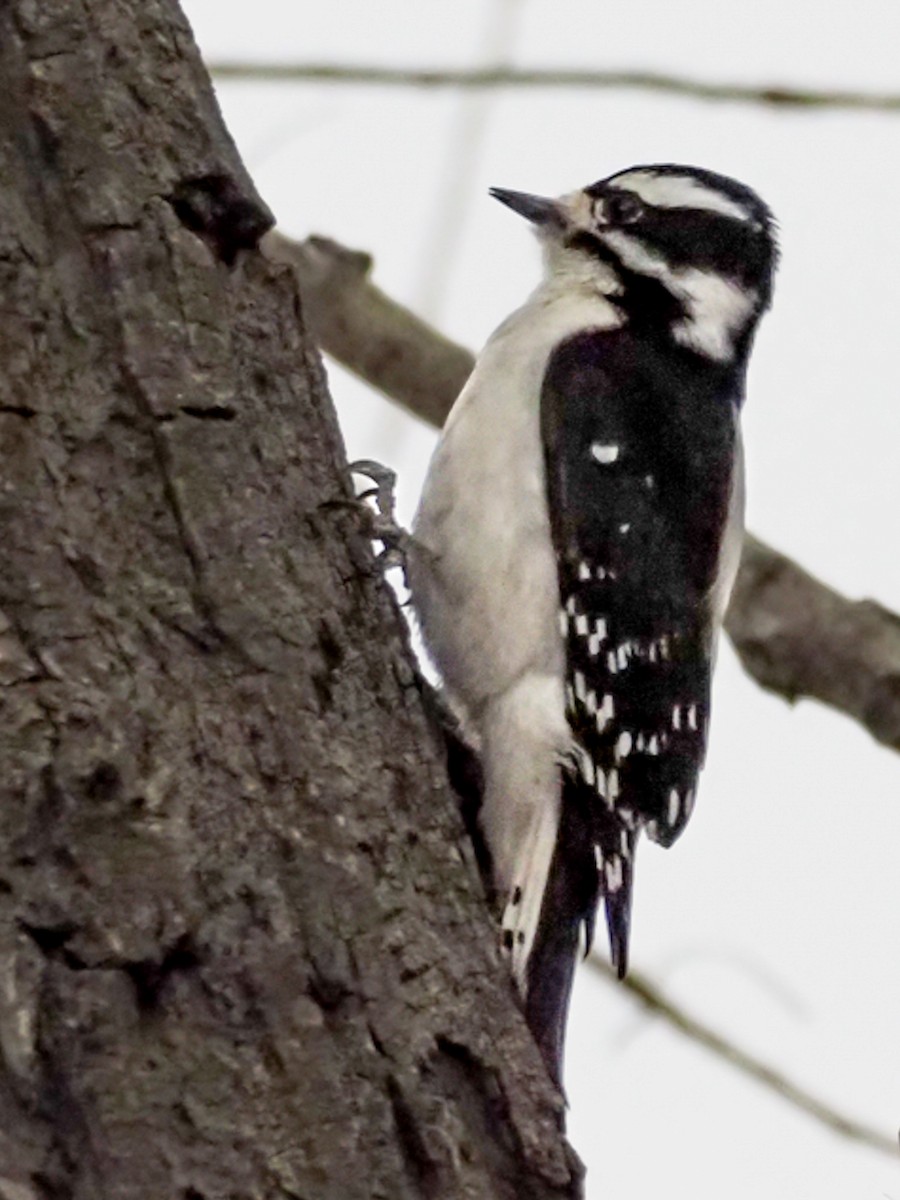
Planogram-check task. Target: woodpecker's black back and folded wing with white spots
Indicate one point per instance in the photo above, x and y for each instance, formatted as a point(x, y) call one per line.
point(640, 453)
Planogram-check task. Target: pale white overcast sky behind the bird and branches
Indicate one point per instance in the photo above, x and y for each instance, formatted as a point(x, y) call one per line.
point(777, 917)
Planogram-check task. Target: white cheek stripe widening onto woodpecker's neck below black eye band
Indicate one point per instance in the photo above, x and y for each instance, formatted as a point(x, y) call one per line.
point(718, 309)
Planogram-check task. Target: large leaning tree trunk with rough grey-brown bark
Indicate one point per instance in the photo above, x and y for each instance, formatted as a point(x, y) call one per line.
point(244, 947)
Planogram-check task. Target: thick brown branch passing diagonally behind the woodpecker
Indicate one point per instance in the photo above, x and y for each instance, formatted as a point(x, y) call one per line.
point(795, 635)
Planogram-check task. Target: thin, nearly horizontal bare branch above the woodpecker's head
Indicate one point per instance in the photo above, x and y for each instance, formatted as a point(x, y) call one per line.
point(523, 77)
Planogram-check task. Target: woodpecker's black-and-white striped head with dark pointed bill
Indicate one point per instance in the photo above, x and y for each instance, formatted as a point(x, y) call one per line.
point(677, 249)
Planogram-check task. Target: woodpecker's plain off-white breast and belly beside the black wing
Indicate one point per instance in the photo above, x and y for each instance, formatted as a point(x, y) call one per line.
point(483, 568)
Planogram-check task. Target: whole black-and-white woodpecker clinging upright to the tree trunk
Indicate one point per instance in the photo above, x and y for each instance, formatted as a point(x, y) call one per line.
point(578, 541)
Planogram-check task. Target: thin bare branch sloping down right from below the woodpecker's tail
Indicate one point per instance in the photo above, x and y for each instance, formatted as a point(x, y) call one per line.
point(652, 998)
